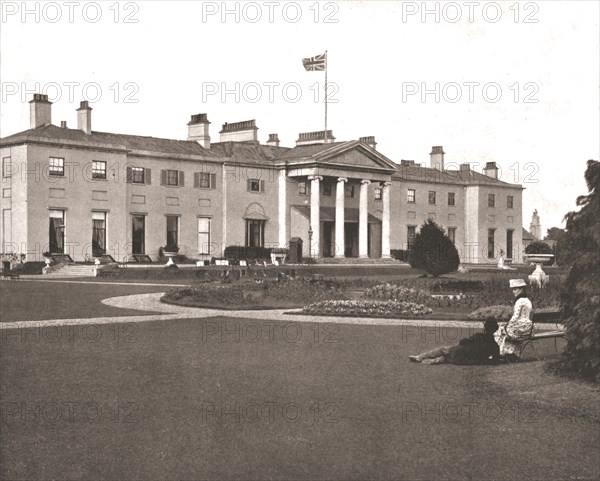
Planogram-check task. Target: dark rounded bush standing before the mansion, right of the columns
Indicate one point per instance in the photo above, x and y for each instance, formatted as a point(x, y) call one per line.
point(433, 251)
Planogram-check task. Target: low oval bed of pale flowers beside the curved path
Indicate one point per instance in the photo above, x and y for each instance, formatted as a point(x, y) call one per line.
point(366, 308)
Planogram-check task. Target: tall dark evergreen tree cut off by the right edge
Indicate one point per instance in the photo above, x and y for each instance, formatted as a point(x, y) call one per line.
point(581, 294)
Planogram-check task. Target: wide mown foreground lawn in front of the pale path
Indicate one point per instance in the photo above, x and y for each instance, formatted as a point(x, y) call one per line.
point(227, 398)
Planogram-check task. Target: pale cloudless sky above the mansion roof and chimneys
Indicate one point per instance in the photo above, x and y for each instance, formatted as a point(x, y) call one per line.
point(516, 83)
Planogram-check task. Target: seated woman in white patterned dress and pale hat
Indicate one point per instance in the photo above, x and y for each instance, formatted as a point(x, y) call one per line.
point(509, 336)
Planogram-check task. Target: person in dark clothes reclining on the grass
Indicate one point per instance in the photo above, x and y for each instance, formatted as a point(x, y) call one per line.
point(480, 348)
